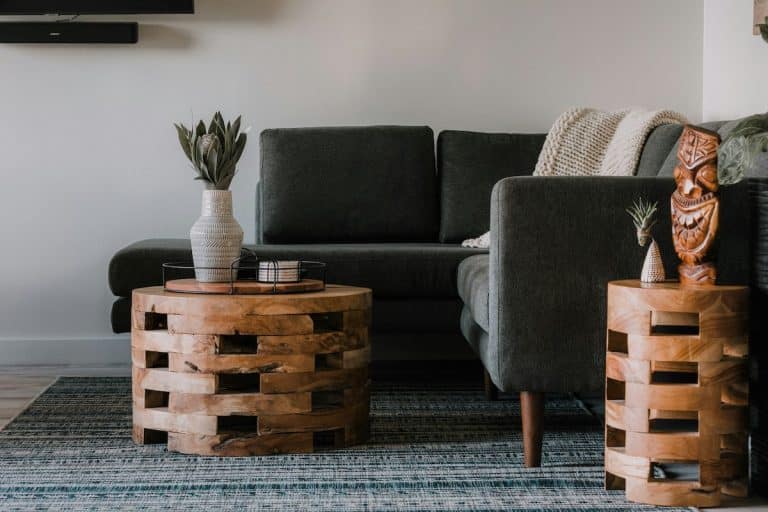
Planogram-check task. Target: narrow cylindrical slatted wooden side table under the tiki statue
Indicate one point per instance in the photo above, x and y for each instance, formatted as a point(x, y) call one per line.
point(676, 399)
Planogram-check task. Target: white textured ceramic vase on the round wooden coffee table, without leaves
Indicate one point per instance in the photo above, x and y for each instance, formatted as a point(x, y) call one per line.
point(216, 238)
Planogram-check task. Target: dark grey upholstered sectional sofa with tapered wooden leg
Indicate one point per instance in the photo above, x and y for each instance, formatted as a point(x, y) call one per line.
point(384, 213)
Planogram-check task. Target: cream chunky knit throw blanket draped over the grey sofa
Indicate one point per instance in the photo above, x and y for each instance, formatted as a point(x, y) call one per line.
point(590, 142)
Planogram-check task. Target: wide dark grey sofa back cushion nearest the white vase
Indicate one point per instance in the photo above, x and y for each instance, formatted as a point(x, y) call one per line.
point(355, 184)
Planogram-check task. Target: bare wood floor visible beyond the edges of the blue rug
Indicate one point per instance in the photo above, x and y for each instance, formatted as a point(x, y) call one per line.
point(21, 385)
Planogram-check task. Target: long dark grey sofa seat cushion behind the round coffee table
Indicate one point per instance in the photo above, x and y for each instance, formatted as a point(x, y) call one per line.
point(390, 269)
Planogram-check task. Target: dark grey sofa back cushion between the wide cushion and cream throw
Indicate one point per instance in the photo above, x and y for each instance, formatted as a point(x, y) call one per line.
point(469, 165)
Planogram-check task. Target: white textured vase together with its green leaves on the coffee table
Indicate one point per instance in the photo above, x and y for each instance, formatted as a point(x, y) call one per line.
point(217, 238)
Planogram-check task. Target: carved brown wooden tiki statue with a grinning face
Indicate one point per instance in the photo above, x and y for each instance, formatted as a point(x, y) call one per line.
point(695, 205)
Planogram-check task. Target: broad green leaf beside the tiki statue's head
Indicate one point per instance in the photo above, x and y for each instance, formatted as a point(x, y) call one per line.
point(740, 149)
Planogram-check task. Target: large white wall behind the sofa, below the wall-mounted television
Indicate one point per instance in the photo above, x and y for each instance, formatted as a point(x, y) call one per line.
point(90, 162)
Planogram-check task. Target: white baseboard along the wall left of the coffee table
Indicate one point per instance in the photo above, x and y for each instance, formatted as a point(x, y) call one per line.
point(107, 351)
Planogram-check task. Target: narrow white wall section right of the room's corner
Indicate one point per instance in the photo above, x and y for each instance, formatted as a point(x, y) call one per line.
point(735, 61)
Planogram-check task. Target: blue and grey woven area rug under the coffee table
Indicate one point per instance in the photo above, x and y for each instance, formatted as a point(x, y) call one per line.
point(433, 448)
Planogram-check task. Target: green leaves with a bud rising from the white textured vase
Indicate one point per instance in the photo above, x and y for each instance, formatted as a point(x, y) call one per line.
point(214, 150)
